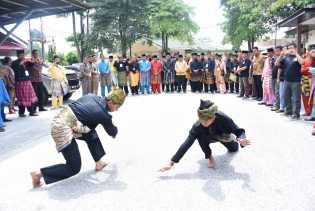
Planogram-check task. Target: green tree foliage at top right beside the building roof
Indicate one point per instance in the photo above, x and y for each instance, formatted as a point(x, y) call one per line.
point(248, 20)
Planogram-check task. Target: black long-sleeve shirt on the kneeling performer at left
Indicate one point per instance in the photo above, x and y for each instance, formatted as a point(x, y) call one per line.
point(92, 110)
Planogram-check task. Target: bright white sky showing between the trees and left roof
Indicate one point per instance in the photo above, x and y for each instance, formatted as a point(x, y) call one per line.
point(208, 15)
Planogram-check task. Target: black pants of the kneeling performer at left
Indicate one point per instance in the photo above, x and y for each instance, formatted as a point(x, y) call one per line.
point(72, 156)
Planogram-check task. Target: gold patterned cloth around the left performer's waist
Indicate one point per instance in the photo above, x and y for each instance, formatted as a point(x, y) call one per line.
point(65, 126)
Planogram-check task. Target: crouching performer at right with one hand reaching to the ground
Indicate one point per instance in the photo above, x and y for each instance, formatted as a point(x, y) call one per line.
point(213, 126)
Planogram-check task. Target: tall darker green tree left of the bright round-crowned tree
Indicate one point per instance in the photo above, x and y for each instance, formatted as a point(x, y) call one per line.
point(119, 23)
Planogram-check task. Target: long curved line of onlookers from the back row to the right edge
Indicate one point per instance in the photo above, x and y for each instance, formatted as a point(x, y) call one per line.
point(279, 78)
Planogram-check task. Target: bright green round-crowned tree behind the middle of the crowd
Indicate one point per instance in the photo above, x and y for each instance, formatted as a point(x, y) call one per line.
point(172, 18)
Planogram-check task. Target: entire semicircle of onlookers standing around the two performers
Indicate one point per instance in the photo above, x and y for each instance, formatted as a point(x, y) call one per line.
point(280, 78)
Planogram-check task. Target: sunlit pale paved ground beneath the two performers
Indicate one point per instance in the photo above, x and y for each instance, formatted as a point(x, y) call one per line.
point(276, 173)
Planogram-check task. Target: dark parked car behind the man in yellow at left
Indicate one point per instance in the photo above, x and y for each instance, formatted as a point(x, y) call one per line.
point(73, 81)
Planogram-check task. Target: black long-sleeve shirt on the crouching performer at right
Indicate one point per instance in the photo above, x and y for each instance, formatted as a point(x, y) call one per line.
point(221, 125)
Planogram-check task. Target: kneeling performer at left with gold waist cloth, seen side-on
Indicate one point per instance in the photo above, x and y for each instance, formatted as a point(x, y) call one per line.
point(78, 120)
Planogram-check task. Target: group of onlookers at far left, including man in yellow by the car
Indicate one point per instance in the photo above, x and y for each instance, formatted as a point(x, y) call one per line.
point(21, 83)
